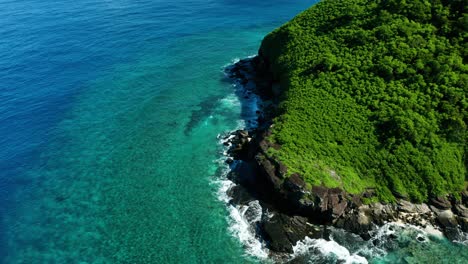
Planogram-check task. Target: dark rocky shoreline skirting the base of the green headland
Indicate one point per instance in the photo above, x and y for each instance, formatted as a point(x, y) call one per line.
point(291, 211)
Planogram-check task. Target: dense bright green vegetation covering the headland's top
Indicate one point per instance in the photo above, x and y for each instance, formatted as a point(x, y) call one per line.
point(374, 96)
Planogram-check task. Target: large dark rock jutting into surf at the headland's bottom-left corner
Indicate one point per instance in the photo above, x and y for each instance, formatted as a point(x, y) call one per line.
point(283, 231)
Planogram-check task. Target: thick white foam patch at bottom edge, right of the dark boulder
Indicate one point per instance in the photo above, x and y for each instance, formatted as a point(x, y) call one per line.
point(326, 248)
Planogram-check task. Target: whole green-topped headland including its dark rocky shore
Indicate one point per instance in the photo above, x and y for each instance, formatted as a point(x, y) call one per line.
point(363, 120)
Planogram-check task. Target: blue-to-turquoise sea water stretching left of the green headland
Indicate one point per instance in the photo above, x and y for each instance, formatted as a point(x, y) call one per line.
point(109, 116)
